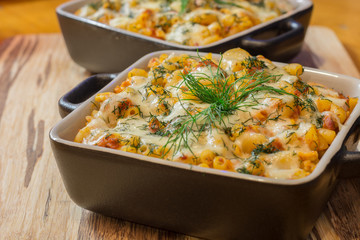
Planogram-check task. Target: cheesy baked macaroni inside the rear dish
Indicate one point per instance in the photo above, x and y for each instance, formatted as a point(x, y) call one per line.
point(187, 22)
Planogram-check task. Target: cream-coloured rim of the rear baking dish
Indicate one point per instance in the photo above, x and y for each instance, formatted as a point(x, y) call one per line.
point(303, 5)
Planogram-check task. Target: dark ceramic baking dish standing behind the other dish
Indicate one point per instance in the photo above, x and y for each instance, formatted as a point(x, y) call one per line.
point(101, 48)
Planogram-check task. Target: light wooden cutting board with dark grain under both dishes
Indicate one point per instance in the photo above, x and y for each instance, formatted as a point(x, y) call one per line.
point(35, 71)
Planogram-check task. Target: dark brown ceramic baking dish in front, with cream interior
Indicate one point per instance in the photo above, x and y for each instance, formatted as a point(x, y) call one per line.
point(202, 202)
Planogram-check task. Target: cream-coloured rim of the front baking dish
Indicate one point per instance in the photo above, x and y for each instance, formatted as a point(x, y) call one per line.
point(323, 162)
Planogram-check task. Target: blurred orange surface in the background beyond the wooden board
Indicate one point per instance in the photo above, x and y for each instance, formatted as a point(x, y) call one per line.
point(38, 16)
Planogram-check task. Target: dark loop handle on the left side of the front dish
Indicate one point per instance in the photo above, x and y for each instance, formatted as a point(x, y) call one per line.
point(83, 91)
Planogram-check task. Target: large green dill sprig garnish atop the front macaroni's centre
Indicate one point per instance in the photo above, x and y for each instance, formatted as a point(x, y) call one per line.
point(224, 96)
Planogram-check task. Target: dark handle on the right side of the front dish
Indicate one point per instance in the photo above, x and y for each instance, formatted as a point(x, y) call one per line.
point(349, 154)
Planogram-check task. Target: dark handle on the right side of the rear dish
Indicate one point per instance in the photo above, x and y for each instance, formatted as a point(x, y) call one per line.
point(277, 41)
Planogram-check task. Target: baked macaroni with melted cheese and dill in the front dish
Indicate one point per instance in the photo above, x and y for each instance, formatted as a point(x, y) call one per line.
point(238, 113)
